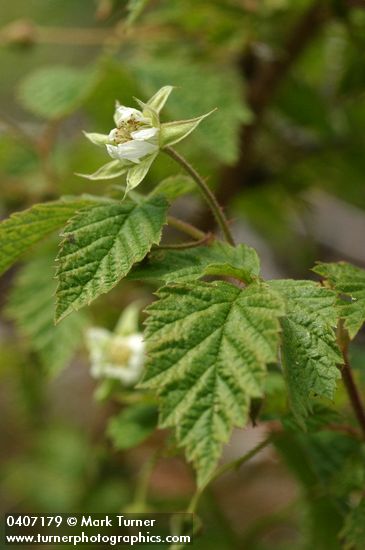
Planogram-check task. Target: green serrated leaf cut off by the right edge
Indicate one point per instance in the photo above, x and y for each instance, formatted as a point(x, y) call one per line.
point(349, 282)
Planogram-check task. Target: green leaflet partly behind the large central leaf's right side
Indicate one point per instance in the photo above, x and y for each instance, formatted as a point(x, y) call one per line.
point(309, 350)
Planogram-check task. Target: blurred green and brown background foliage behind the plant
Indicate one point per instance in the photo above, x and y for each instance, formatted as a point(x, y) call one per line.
point(285, 153)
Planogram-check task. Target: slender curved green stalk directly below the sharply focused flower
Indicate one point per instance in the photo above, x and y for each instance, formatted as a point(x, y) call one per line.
point(206, 192)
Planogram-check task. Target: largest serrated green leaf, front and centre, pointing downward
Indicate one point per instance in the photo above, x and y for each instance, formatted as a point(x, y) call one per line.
point(208, 346)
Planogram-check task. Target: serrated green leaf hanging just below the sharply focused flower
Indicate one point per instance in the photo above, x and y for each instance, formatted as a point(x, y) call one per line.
point(100, 246)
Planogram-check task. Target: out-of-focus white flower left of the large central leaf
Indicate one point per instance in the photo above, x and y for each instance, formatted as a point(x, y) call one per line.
point(120, 354)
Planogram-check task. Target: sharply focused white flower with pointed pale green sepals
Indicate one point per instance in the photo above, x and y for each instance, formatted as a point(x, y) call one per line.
point(138, 137)
